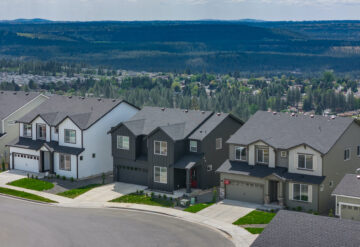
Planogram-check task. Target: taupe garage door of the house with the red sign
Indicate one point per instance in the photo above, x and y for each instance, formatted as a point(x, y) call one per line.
point(242, 191)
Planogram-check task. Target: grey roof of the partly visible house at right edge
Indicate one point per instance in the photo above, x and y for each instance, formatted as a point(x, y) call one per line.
point(348, 186)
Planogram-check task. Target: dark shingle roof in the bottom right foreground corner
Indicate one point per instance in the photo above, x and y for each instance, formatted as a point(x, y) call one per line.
point(297, 229)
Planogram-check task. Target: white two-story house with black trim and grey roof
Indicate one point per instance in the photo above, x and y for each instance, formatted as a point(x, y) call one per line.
point(68, 136)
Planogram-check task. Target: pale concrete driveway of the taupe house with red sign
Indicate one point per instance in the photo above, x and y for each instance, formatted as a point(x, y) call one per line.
point(228, 211)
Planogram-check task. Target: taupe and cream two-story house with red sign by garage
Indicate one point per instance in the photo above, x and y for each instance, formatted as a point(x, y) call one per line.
point(292, 160)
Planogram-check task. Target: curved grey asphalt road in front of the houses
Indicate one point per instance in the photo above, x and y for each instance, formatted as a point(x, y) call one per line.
point(28, 224)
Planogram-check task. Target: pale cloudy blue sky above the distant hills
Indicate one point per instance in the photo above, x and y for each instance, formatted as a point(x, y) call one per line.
point(82, 10)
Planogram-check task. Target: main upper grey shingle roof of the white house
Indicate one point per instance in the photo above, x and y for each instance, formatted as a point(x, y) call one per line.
point(84, 112)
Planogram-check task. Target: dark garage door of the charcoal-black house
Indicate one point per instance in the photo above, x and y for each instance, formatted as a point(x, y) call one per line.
point(132, 175)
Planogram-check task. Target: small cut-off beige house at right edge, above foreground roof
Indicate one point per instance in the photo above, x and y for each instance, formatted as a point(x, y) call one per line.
point(347, 197)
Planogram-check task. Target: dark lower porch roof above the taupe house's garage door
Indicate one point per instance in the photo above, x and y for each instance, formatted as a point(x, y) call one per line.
point(262, 171)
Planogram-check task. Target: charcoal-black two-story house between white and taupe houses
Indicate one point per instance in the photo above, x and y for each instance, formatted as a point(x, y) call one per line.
point(168, 149)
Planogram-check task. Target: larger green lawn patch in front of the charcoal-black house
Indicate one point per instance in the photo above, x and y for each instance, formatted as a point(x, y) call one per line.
point(144, 199)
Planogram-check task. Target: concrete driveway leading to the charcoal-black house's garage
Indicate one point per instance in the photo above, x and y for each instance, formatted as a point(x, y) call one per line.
point(108, 192)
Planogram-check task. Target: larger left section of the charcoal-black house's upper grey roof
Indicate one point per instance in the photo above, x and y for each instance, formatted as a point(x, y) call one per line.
point(176, 123)
